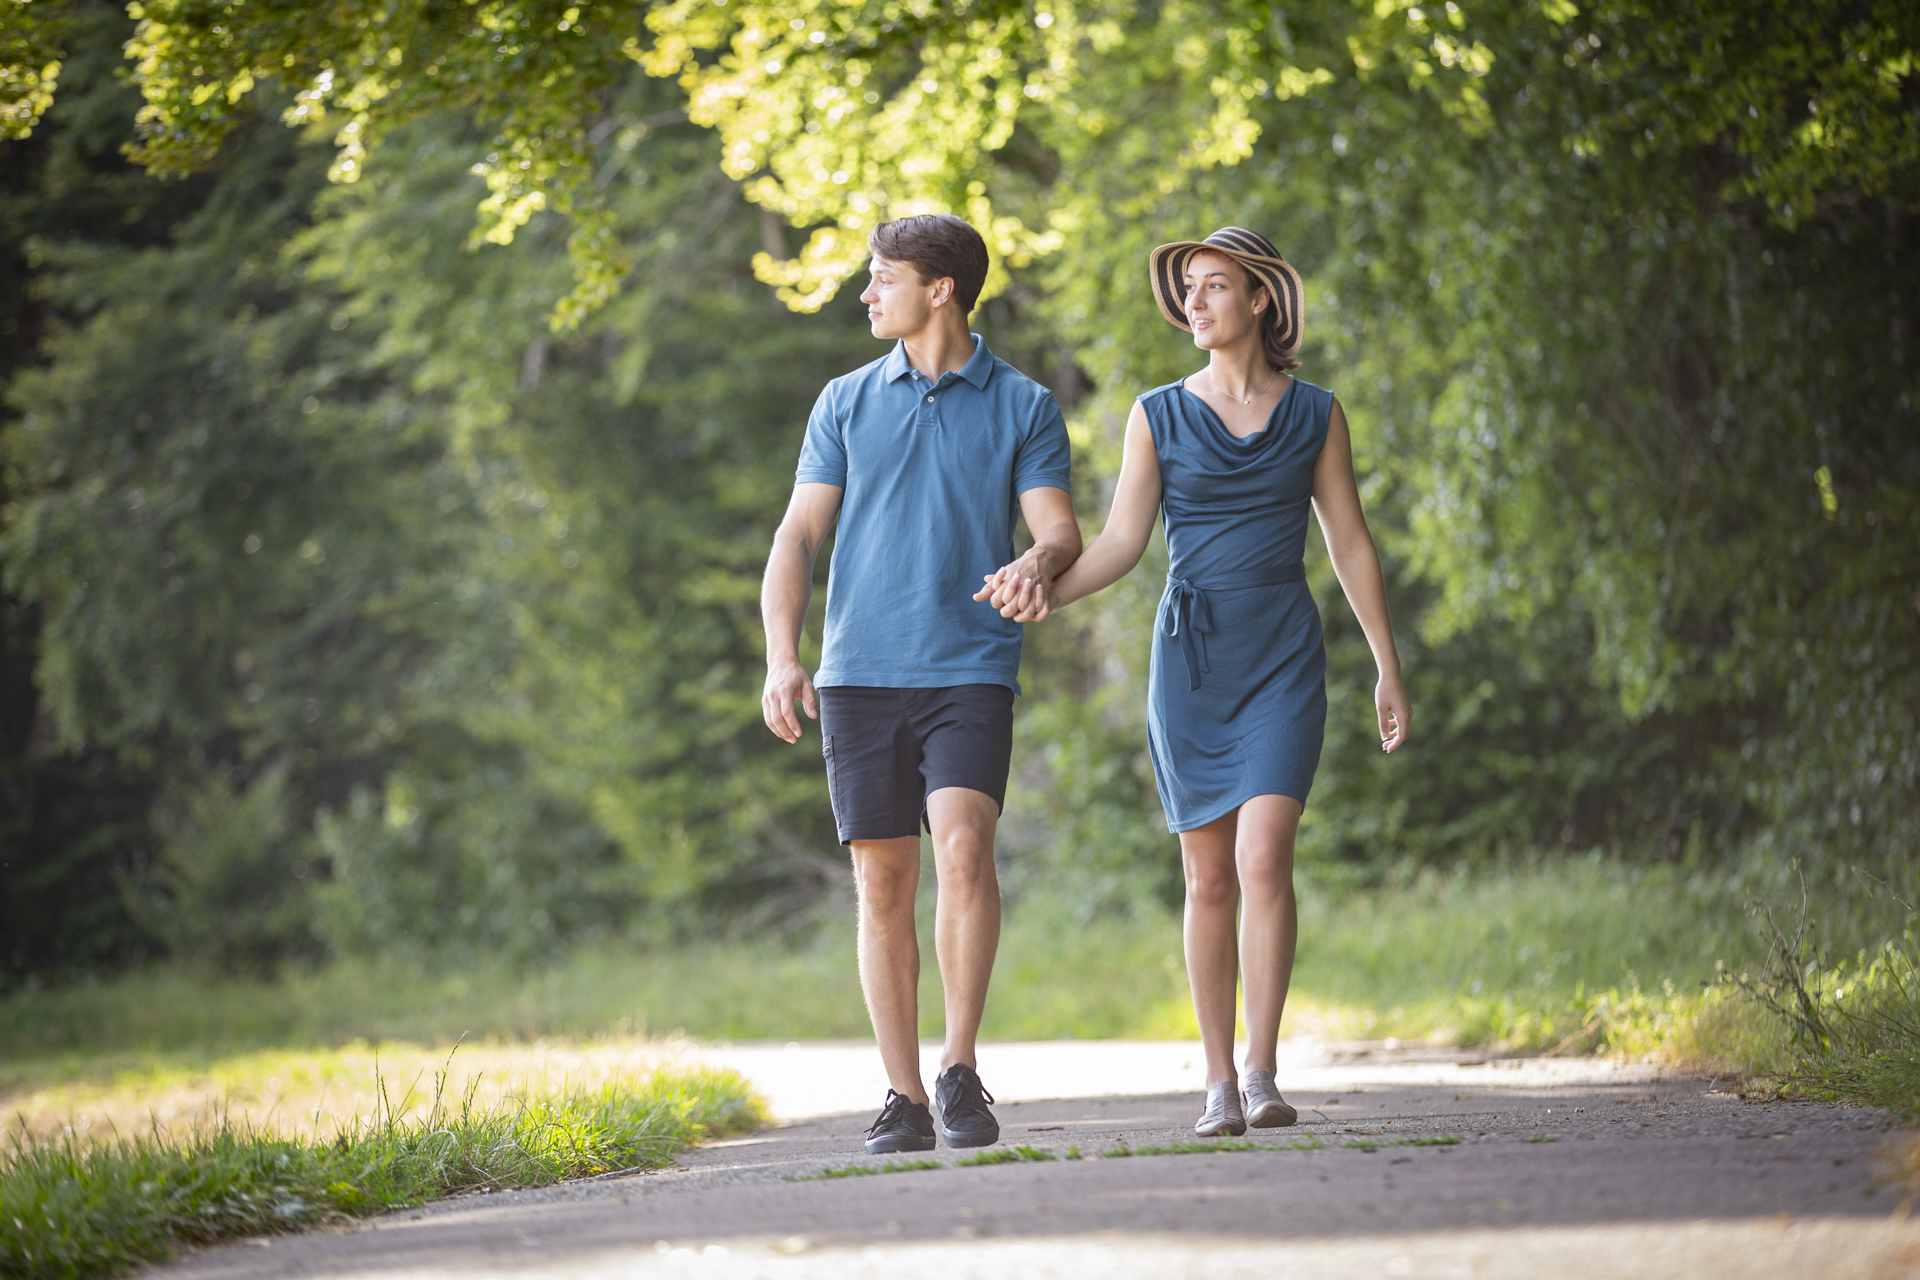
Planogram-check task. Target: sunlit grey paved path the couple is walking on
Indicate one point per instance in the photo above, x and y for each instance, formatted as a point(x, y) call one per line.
point(1562, 1168)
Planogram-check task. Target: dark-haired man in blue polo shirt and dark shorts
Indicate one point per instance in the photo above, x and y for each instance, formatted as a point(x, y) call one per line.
point(924, 458)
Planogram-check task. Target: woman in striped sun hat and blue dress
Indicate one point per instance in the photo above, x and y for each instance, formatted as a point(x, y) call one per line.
point(1237, 698)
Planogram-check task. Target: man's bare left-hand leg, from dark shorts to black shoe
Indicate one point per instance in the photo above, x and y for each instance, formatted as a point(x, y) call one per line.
point(886, 876)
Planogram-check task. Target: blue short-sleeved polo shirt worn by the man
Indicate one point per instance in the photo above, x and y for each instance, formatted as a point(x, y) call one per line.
point(932, 479)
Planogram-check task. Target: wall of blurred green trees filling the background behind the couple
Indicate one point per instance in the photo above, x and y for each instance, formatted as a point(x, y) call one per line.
point(387, 494)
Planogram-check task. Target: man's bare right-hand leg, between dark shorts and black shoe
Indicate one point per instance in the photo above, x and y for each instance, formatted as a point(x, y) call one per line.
point(967, 920)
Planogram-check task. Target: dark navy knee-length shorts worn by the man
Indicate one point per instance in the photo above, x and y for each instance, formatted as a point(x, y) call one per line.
point(890, 749)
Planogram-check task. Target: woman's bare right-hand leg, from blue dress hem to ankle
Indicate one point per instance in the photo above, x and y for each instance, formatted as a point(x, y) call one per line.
point(1270, 920)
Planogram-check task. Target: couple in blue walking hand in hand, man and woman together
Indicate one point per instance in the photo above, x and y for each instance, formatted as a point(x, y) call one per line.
point(926, 458)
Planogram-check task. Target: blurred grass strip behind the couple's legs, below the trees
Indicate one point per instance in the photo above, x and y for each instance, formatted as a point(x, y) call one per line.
point(1583, 955)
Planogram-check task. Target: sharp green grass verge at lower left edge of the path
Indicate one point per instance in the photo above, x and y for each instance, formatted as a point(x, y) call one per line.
point(80, 1208)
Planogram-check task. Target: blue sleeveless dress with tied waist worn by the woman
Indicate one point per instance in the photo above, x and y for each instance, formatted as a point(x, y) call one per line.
point(1237, 690)
